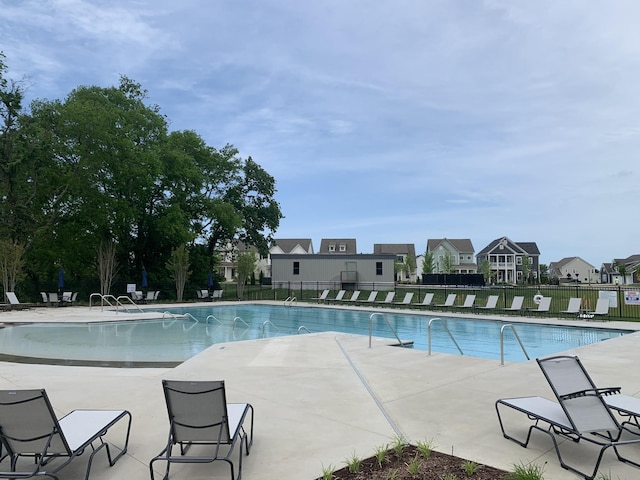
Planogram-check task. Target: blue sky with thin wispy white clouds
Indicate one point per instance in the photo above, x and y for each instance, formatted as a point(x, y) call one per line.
point(387, 122)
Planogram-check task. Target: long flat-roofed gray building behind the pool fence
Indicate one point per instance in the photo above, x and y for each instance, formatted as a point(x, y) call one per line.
point(329, 270)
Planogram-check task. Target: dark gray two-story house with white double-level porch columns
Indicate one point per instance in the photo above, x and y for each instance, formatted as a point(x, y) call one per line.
point(506, 259)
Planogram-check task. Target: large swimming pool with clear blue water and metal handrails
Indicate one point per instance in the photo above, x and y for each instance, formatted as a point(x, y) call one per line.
point(172, 340)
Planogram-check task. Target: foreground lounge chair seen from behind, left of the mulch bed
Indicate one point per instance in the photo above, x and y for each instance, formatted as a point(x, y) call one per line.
point(200, 415)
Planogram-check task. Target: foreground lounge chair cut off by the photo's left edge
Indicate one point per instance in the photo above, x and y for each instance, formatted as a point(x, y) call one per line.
point(29, 428)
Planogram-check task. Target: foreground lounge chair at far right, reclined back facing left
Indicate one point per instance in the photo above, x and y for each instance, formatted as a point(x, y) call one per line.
point(580, 413)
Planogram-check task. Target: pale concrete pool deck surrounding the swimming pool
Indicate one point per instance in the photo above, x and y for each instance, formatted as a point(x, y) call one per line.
point(321, 398)
